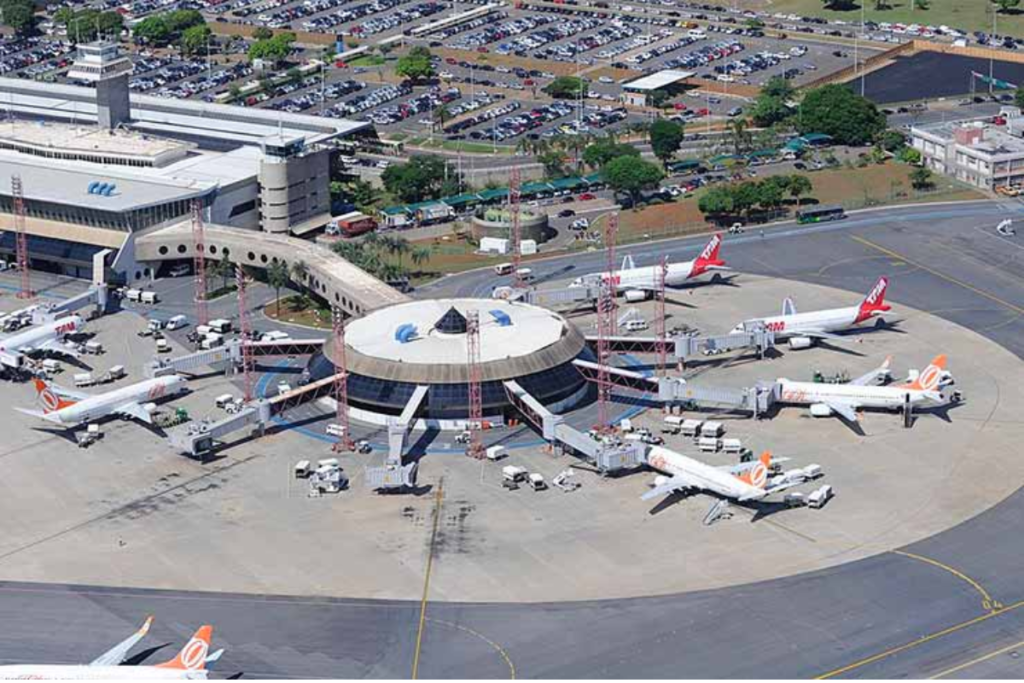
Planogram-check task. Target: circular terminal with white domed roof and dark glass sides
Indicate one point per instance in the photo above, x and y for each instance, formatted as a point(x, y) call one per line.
point(392, 352)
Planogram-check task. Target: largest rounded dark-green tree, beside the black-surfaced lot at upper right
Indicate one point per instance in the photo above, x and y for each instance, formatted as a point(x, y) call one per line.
point(838, 112)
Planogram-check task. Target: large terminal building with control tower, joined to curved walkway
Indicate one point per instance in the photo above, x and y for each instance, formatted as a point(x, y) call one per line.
point(101, 167)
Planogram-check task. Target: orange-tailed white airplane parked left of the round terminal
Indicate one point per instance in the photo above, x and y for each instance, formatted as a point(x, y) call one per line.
point(71, 409)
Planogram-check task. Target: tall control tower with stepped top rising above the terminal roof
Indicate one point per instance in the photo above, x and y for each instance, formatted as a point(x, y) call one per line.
point(103, 64)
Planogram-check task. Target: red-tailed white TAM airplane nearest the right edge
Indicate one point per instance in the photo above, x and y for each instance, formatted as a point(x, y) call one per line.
point(803, 329)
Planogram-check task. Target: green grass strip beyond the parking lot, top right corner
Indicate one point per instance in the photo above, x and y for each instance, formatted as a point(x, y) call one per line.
point(966, 15)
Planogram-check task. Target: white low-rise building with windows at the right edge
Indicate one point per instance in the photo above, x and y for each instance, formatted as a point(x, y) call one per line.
point(977, 152)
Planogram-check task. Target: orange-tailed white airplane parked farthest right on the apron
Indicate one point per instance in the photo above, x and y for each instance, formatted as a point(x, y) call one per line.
point(846, 400)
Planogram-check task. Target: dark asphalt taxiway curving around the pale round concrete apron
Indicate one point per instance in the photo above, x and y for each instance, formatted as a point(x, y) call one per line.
point(947, 606)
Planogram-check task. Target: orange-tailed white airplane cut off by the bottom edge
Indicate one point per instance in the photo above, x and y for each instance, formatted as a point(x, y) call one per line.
point(189, 664)
